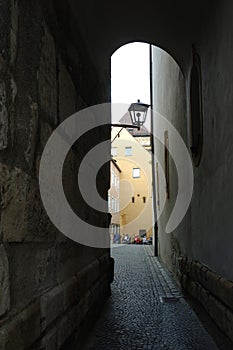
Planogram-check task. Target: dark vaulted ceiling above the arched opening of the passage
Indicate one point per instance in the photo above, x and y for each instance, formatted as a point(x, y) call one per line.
point(107, 25)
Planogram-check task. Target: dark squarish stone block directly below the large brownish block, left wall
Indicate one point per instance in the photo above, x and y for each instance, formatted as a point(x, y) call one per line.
point(32, 269)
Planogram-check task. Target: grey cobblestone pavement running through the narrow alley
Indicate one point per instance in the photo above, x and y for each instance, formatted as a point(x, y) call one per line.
point(146, 310)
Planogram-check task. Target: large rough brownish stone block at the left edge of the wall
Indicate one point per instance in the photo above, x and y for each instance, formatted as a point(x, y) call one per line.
point(23, 217)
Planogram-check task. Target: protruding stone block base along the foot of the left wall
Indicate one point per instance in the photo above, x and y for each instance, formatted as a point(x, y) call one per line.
point(57, 313)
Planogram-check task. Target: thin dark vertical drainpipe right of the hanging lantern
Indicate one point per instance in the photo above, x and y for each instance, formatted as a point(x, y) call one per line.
point(155, 228)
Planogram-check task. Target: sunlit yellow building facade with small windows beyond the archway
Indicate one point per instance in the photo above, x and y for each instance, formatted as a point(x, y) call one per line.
point(135, 212)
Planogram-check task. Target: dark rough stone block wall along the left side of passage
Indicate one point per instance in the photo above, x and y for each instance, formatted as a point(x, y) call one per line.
point(49, 285)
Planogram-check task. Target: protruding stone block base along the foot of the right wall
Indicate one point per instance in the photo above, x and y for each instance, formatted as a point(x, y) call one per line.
point(209, 288)
